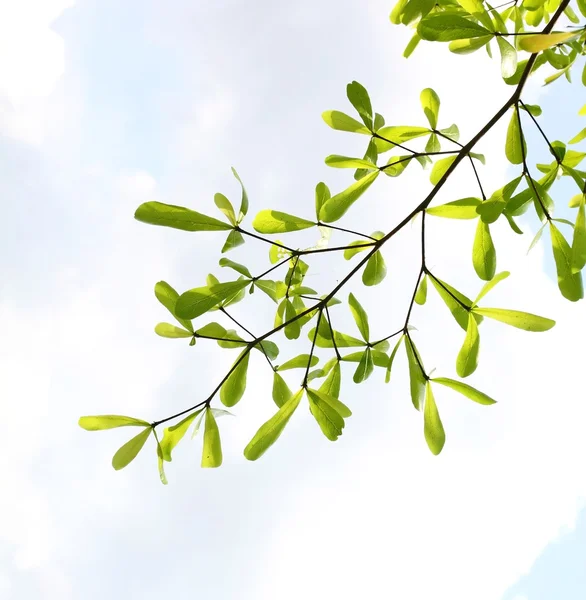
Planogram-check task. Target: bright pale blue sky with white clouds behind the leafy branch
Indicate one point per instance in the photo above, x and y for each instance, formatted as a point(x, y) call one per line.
point(105, 105)
